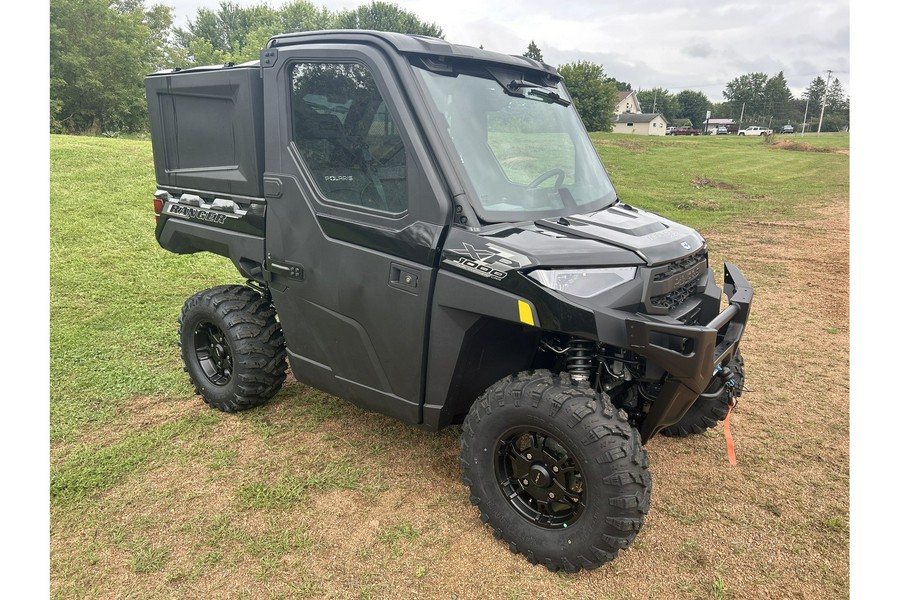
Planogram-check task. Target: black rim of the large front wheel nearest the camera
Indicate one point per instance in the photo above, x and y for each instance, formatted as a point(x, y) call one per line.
point(540, 478)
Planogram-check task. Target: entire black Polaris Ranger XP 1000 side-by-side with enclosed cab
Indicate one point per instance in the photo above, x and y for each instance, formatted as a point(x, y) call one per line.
point(427, 231)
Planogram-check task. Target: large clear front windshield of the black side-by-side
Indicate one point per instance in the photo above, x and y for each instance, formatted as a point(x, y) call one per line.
point(525, 153)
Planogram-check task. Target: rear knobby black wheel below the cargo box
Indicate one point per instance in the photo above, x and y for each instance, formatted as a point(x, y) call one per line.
point(232, 346)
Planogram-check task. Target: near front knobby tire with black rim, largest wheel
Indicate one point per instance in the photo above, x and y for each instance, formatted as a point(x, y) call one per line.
point(555, 470)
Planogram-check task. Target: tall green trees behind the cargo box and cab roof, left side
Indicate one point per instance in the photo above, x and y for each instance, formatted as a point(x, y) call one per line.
point(100, 50)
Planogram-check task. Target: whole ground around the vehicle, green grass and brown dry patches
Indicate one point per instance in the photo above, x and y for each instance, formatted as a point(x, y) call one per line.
point(155, 496)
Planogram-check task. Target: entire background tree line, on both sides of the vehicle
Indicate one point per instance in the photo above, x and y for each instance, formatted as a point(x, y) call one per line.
point(100, 51)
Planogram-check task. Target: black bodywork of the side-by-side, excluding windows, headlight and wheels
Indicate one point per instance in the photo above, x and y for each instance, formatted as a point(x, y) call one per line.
point(414, 314)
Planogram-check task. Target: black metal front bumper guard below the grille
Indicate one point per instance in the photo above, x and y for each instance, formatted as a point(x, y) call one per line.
point(689, 354)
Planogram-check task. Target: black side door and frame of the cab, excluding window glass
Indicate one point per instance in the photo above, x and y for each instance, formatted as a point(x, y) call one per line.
point(356, 324)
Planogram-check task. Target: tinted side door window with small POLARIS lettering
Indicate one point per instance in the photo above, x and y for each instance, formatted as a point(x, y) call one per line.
point(346, 135)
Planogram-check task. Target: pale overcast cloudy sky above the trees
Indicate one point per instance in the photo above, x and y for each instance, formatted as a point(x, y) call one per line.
point(673, 44)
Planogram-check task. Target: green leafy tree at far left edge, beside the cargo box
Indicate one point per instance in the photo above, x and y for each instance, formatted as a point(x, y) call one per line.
point(100, 52)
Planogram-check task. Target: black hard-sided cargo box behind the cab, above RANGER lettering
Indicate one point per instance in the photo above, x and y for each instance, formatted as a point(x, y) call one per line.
point(206, 126)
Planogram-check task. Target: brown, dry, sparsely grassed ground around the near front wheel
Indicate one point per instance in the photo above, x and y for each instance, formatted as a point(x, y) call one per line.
point(774, 526)
